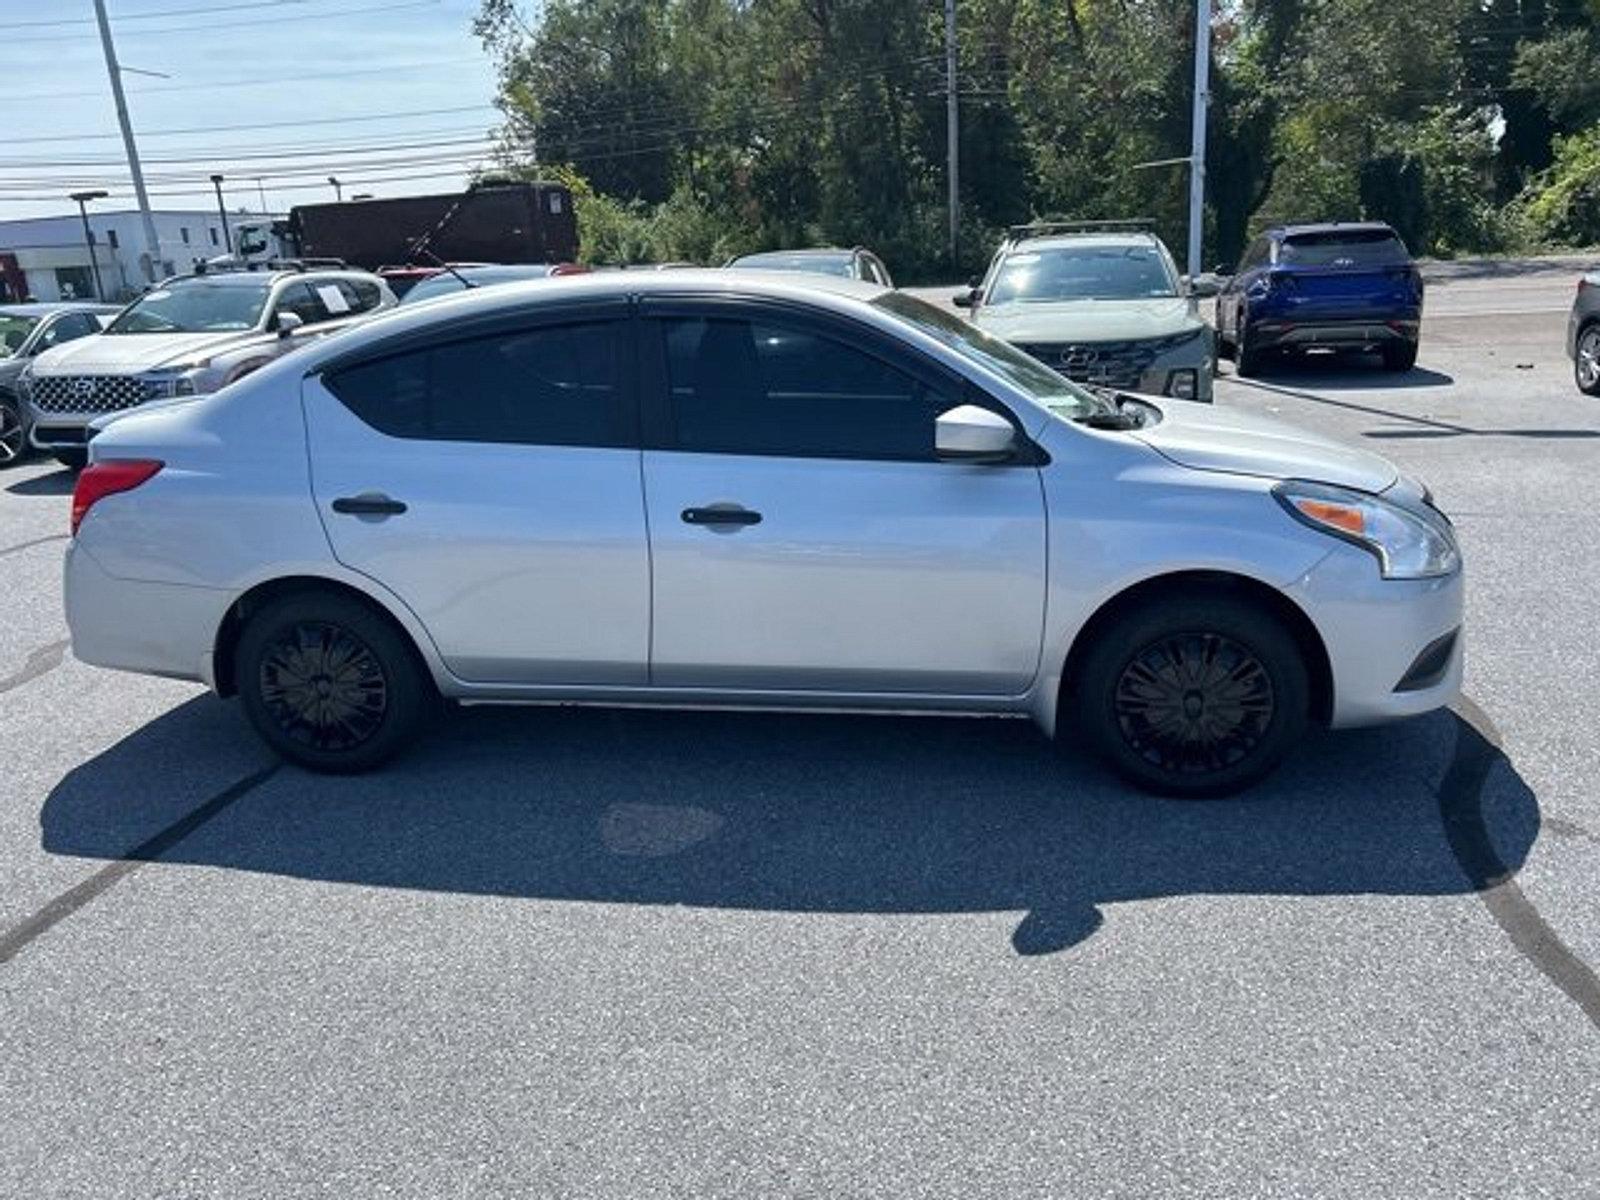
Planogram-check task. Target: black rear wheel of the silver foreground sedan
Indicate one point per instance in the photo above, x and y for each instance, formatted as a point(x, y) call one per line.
point(287, 682)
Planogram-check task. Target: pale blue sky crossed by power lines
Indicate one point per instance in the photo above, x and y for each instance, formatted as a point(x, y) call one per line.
point(391, 97)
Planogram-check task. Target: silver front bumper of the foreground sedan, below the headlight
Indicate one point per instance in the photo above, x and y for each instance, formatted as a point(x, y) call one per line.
point(1390, 641)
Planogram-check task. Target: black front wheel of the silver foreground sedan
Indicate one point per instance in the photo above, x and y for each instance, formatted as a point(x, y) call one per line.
point(1135, 708)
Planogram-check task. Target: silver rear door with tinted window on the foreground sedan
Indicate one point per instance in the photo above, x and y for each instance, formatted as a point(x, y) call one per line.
point(494, 484)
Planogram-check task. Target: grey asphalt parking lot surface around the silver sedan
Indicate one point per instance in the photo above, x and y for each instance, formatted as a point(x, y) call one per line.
point(586, 953)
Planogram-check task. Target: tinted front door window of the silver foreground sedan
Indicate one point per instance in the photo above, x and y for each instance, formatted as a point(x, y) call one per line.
point(758, 388)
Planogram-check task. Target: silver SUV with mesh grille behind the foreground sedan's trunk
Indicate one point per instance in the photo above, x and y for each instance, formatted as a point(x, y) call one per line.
point(186, 337)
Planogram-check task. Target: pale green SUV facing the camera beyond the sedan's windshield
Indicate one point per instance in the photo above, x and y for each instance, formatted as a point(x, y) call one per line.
point(1102, 303)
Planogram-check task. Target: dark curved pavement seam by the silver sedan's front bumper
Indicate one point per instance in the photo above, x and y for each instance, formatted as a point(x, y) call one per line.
point(1462, 807)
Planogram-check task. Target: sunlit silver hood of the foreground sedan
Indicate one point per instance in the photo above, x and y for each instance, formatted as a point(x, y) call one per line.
point(1225, 439)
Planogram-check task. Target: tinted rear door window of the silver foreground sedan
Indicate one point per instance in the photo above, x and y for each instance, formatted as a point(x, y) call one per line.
point(558, 386)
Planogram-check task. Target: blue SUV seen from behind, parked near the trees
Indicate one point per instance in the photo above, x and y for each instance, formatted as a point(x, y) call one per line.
point(1329, 287)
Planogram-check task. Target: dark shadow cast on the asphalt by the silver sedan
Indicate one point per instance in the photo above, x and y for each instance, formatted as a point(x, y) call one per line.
point(810, 814)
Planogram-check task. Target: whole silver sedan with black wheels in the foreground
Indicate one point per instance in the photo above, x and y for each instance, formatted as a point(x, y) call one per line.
point(711, 489)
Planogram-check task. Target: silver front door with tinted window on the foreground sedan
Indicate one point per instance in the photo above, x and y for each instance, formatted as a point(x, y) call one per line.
point(804, 535)
